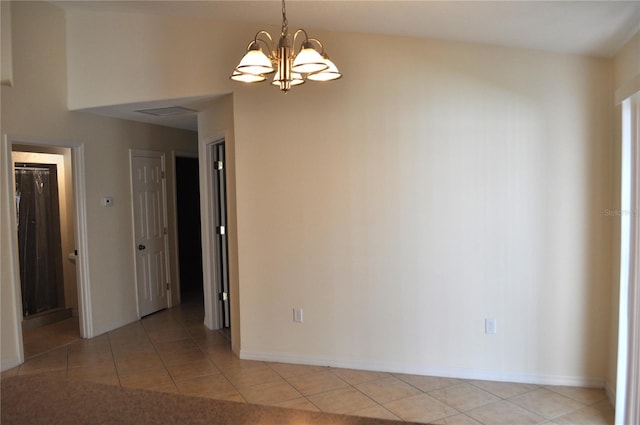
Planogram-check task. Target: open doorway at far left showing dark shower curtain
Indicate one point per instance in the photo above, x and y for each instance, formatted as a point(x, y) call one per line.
point(44, 206)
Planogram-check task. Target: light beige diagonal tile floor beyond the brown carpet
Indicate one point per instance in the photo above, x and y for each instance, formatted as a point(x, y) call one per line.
point(172, 351)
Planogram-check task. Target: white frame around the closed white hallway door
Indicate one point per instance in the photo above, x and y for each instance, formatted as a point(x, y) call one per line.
point(162, 156)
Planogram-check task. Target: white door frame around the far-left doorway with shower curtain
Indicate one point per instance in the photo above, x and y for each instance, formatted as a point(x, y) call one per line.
point(85, 312)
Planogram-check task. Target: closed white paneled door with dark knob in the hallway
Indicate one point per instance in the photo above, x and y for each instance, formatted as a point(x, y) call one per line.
point(149, 219)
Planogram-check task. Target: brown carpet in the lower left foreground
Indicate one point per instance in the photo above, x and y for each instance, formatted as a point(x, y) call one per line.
point(41, 400)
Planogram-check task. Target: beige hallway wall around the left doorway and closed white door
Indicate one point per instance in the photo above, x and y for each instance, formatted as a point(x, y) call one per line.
point(35, 108)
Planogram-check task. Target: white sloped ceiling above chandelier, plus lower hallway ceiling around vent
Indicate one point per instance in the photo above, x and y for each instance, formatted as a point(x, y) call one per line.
point(594, 28)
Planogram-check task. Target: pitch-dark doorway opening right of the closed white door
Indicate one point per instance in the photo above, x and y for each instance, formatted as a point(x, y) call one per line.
point(189, 230)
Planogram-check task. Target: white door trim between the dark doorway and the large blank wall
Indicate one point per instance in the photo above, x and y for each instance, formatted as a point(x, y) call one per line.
point(212, 314)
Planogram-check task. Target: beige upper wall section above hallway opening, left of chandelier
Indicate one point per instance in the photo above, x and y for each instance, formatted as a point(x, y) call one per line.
point(149, 57)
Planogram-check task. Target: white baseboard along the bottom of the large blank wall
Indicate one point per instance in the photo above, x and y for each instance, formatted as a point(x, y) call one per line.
point(394, 367)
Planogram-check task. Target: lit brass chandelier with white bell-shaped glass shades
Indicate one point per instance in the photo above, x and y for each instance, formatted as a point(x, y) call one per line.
point(291, 68)
